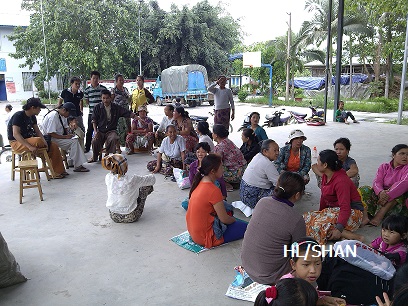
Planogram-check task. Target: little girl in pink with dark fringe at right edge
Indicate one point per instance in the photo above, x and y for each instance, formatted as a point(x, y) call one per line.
point(393, 239)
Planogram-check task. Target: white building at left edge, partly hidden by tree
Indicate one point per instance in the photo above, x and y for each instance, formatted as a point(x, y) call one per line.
point(16, 83)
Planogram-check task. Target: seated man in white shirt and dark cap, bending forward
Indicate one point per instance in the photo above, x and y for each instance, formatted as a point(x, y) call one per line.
point(55, 124)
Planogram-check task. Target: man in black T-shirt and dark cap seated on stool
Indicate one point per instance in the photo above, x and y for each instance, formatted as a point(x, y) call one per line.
point(24, 135)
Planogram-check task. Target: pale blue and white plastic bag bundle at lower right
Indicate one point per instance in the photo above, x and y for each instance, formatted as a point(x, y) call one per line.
point(365, 257)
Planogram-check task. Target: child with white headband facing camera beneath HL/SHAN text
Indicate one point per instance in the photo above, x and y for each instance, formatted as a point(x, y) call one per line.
point(306, 263)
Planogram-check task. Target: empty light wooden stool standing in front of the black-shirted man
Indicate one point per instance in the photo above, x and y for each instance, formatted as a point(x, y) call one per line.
point(28, 175)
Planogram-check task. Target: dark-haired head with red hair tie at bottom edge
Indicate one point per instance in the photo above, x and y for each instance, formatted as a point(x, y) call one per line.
point(291, 291)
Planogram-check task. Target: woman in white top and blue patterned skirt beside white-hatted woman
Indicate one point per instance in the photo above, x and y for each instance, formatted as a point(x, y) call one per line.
point(261, 175)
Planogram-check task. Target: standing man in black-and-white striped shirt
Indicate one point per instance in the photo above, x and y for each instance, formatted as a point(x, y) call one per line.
point(92, 95)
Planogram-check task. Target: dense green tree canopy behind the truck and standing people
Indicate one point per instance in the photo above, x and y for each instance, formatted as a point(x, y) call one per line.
point(103, 35)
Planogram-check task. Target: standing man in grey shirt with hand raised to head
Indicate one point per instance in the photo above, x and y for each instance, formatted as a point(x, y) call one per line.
point(223, 102)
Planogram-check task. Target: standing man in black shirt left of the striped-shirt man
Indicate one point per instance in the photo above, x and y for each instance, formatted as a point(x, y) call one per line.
point(76, 96)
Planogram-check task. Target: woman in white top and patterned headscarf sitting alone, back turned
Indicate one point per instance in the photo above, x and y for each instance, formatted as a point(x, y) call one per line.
point(126, 193)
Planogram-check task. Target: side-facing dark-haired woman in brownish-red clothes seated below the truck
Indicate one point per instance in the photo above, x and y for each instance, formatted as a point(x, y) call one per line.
point(184, 127)
